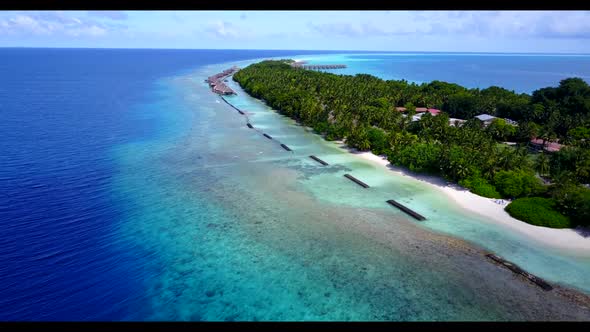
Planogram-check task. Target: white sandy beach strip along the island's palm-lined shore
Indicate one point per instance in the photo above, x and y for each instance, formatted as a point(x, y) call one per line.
point(559, 238)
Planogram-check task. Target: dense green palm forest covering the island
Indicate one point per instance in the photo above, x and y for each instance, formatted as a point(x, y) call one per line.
point(361, 110)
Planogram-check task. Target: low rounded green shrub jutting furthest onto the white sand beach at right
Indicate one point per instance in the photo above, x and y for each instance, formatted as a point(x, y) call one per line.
point(538, 211)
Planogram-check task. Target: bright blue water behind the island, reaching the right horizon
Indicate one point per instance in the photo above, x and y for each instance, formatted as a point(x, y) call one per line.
point(522, 73)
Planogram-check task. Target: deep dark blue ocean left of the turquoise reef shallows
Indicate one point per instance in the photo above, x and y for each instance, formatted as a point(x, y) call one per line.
point(61, 111)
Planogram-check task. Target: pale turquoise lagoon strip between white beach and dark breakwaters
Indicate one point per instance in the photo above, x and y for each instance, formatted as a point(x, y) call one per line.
point(444, 215)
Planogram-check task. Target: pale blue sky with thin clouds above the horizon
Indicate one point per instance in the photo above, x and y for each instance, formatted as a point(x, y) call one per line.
point(444, 31)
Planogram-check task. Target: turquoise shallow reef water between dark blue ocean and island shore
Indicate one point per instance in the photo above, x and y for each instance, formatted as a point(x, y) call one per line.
point(240, 229)
